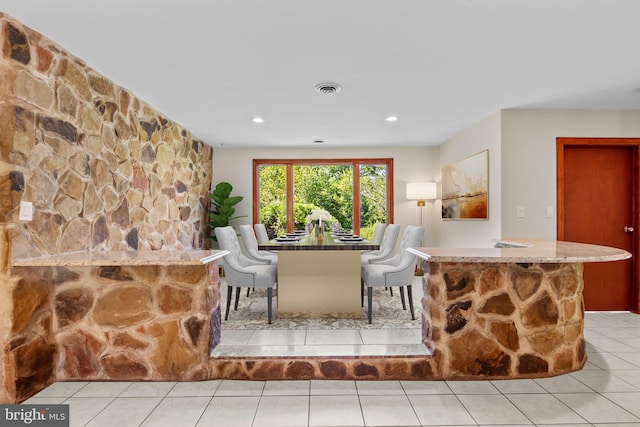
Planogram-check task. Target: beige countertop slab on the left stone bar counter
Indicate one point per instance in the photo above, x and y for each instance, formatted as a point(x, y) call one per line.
point(114, 258)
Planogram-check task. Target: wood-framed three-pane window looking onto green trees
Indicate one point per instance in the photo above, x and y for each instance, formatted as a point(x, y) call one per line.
point(358, 193)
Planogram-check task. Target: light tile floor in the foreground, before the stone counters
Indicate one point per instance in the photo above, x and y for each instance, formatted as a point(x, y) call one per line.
point(605, 393)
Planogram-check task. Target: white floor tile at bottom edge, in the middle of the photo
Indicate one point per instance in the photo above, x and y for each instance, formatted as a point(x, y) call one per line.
point(335, 411)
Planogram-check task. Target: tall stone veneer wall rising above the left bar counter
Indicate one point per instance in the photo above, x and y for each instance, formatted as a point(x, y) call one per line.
point(103, 169)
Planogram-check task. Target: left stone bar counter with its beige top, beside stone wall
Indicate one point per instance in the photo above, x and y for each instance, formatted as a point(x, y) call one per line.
point(113, 315)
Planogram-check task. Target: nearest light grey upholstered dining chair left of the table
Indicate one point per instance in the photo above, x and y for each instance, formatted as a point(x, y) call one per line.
point(242, 272)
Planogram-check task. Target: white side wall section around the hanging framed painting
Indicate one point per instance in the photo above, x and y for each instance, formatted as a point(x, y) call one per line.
point(475, 233)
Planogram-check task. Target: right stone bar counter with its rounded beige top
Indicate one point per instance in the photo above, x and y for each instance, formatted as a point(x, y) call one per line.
point(512, 311)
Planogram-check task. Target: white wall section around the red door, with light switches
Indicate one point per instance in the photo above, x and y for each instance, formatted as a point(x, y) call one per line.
point(529, 160)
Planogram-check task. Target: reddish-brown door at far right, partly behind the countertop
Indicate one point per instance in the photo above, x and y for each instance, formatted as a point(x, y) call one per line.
point(596, 198)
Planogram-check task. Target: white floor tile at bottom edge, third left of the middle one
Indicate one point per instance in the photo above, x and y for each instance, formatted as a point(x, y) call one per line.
point(177, 411)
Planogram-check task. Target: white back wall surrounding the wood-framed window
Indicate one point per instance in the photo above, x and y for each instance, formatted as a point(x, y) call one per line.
point(409, 163)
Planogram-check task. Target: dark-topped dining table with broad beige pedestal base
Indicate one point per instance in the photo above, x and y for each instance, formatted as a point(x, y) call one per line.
point(319, 274)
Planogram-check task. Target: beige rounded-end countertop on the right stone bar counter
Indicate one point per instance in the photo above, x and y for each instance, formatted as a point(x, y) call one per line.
point(525, 251)
